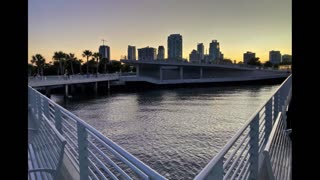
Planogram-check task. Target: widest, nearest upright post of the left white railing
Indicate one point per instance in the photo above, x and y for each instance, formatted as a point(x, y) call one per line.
point(83, 151)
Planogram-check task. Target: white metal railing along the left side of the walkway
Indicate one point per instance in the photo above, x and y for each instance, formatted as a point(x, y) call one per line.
point(92, 154)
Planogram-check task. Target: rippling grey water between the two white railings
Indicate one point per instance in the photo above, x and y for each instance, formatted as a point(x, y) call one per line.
point(177, 131)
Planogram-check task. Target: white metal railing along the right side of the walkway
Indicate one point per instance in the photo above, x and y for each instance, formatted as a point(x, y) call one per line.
point(239, 158)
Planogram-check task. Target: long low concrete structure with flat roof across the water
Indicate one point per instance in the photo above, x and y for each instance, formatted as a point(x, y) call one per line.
point(163, 72)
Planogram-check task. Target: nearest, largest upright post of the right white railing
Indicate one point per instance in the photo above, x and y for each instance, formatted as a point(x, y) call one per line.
point(254, 147)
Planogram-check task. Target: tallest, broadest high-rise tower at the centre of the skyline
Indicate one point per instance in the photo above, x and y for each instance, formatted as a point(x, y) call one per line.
point(175, 47)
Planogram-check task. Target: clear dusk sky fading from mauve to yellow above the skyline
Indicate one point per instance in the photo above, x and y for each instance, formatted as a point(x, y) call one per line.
point(73, 26)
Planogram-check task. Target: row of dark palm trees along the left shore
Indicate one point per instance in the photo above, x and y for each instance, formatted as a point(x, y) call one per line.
point(64, 61)
